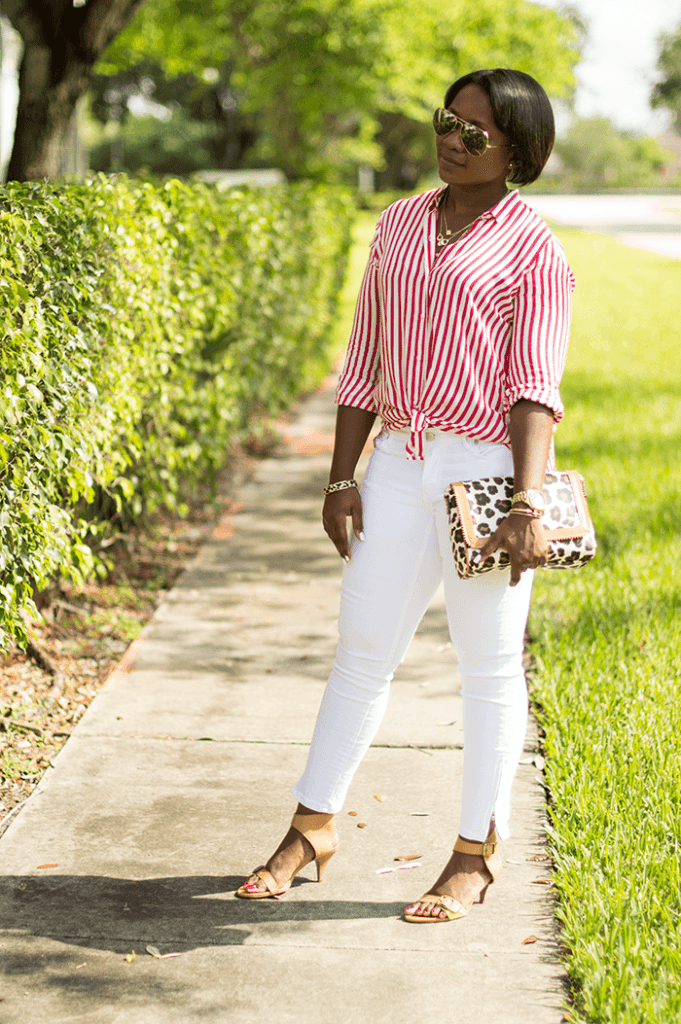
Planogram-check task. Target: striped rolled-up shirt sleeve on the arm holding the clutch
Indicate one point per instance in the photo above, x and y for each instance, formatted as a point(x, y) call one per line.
point(541, 330)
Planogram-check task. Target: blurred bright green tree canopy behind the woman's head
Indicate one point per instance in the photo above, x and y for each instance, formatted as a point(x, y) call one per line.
point(313, 87)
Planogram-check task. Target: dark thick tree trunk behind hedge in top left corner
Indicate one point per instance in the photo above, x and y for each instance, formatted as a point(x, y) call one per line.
point(63, 41)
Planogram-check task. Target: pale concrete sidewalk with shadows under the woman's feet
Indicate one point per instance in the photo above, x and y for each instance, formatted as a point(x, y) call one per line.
point(176, 785)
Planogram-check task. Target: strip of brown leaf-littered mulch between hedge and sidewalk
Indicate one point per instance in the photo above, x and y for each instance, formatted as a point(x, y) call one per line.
point(80, 637)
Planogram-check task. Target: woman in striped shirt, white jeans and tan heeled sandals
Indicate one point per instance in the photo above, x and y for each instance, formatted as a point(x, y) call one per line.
point(458, 344)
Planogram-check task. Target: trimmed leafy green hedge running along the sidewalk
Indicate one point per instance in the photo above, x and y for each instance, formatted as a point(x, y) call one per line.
point(143, 328)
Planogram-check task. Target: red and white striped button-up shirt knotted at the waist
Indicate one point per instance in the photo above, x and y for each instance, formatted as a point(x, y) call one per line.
point(454, 343)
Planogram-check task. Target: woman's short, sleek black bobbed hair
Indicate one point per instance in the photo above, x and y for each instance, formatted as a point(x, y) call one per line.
point(523, 112)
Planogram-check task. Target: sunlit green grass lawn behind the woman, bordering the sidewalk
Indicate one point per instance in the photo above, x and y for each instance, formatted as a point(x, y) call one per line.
point(608, 637)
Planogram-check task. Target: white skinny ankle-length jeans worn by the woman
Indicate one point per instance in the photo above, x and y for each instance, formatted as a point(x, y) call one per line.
point(388, 587)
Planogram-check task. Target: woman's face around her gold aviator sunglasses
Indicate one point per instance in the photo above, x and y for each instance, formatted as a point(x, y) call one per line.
point(457, 167)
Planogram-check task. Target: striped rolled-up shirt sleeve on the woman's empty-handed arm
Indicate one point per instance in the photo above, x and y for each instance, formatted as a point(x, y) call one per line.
point(361, 372)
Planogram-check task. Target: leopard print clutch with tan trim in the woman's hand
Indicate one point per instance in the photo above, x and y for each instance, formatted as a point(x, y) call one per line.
point(476, 508)
